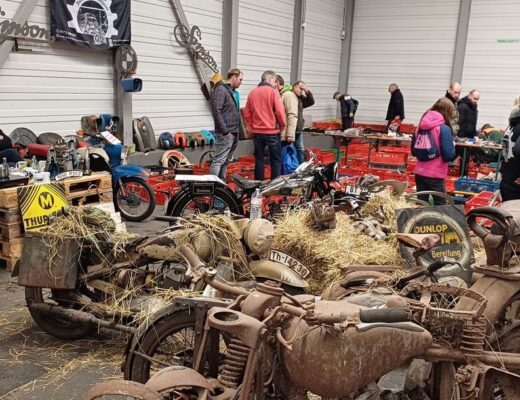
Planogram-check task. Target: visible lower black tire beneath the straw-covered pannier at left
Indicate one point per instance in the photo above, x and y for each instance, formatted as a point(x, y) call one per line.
point(54, 326)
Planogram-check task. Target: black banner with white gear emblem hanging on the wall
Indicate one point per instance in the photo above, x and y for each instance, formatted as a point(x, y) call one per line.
point(100, 24)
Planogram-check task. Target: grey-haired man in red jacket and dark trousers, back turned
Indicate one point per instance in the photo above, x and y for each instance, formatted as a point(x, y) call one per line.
point(265, 116)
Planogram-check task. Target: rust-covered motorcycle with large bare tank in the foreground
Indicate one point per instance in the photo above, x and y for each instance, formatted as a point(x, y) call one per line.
point(276, 342)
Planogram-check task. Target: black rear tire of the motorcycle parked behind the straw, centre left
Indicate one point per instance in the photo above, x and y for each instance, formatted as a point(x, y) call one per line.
point(183, 199)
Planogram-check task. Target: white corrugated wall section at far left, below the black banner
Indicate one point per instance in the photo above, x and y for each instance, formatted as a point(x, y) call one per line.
point(48, 88)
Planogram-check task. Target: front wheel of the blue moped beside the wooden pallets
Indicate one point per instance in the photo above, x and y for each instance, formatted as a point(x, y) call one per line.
point(135, 199)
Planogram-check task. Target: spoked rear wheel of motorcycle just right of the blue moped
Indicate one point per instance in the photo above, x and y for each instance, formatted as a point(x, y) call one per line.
point(187, 204)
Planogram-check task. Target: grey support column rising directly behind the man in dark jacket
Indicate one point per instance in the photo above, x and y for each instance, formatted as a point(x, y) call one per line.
point(229, 35)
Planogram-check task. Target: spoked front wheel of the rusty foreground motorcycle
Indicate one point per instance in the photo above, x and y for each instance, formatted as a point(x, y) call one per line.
point(170, 342)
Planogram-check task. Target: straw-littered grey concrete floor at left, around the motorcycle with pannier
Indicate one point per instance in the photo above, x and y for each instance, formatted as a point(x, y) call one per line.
point(34, 365)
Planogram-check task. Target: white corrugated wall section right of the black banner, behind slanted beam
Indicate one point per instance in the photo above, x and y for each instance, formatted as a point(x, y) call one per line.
point(171, 95)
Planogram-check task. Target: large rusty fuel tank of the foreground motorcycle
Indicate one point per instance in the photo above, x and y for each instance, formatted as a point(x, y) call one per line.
point(333, 363)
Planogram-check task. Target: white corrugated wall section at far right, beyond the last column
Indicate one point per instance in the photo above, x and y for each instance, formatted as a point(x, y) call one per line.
point(492, 62)
